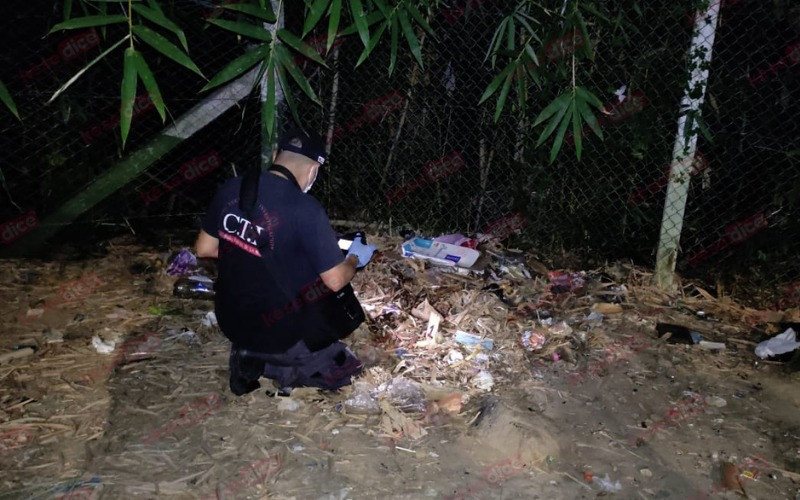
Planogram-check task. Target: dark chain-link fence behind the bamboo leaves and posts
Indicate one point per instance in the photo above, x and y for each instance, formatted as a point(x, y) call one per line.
point(415, 149)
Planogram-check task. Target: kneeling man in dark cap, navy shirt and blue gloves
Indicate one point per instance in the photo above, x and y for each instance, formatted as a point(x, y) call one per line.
point(283, 294)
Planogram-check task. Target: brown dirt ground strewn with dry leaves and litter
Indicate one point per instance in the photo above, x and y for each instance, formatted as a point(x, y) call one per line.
point(607, 400)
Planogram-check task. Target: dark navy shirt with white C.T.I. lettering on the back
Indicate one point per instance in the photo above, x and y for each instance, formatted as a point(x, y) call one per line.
point(254, 311)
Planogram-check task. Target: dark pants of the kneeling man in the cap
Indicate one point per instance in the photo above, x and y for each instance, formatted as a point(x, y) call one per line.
point(328, 368)
